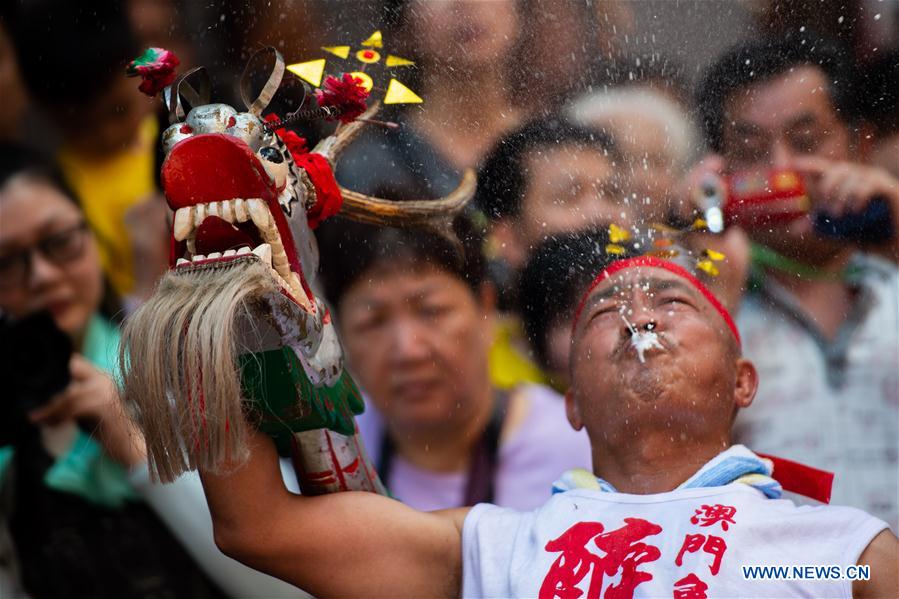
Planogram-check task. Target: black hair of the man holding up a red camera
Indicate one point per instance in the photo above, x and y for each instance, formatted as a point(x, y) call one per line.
point(760, 60)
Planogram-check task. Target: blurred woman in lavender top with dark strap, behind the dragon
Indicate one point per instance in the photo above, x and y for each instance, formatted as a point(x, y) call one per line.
point(416, 319)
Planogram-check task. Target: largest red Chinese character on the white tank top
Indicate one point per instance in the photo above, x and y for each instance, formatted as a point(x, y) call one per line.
point(623, 553)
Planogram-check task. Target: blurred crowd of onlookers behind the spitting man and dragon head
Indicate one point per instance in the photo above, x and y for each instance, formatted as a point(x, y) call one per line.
point(577, 115)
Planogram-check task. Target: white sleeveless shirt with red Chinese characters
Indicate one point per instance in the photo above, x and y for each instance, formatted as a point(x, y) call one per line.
point(685, 543)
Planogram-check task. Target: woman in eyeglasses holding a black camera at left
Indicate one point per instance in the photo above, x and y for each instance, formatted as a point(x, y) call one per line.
point(72, 462)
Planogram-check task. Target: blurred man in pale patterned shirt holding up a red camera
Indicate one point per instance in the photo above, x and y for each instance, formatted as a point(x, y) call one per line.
point(822, 314)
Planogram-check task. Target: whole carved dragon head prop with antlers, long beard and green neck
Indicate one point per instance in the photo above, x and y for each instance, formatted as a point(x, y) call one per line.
point(233, 334)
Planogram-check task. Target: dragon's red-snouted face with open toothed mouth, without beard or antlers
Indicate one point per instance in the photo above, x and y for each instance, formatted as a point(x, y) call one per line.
point(235, 190)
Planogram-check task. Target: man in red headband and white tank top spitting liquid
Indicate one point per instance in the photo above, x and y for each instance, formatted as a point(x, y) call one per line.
point(672, 508)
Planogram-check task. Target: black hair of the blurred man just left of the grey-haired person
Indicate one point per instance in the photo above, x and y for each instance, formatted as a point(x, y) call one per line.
point(502, 177)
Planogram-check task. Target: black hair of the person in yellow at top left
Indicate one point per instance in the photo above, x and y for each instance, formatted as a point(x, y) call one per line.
point(69, 52)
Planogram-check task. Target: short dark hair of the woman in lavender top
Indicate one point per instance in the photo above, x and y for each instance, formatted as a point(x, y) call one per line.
point(349, 250)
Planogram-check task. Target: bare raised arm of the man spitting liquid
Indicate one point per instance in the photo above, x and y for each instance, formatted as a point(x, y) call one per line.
point(342, 544)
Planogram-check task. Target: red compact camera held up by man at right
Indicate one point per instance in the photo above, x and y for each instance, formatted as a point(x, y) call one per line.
point(756, 199)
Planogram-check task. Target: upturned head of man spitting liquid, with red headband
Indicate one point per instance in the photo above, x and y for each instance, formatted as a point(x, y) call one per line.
point(688, 376)
